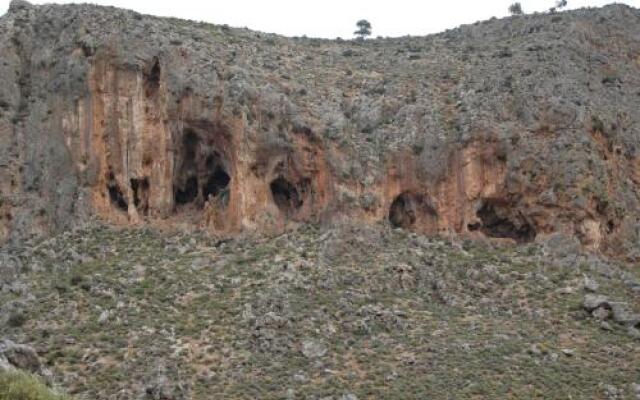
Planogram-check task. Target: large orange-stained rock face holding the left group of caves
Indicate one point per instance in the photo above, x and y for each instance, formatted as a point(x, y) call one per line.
point(147, 155)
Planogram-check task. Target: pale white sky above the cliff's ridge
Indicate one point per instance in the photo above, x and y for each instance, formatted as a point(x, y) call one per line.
point(336, 18)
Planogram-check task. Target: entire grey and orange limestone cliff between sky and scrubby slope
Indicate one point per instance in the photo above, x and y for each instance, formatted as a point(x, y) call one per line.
point(514, 129)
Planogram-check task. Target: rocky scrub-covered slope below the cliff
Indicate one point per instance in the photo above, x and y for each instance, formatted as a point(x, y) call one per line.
point(342, 312)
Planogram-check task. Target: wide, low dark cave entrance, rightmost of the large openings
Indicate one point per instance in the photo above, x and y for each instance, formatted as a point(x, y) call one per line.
point(496, 224)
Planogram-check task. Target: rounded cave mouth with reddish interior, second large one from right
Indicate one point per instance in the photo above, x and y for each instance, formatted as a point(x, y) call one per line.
point(409, 210)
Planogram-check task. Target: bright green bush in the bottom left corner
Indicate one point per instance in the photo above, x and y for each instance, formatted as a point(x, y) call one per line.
point(15, 385)
